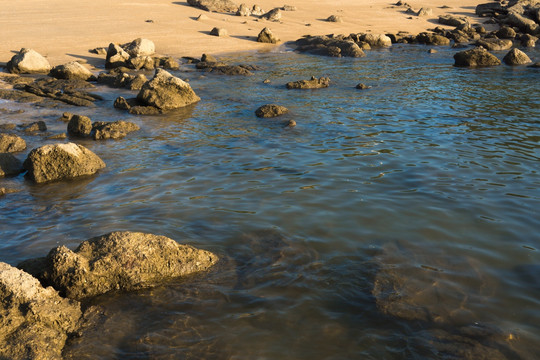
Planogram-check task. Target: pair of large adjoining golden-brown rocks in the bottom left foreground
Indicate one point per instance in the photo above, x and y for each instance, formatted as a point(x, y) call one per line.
point(37, 321)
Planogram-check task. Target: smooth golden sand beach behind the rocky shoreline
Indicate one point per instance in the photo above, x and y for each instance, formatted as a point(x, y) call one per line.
point(64, 30)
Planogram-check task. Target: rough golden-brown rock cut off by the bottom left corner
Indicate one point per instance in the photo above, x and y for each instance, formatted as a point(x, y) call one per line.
point(34, 321)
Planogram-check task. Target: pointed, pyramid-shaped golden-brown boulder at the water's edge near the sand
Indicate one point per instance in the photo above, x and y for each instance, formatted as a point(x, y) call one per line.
point(166, 92)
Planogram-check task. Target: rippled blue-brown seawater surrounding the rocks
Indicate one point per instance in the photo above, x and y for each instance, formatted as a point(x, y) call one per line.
point(433, 172)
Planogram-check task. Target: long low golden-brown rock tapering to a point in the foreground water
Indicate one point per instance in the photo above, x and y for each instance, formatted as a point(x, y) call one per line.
point(119, 261)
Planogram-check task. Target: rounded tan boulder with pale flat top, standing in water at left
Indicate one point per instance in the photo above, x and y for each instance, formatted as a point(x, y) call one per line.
point(60, 162)
